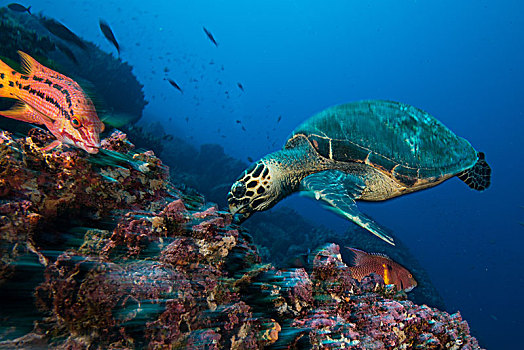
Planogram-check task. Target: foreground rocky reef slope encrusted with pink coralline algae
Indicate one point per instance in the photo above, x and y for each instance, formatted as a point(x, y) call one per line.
point(153, 267)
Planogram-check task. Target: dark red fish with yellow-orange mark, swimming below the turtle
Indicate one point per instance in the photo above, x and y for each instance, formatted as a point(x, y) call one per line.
point(391, 271)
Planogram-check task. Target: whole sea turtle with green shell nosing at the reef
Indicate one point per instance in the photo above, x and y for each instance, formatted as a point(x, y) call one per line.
point(367, 150)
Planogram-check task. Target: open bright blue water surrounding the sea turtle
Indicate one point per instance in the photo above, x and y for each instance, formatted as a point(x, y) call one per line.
point(459, 60)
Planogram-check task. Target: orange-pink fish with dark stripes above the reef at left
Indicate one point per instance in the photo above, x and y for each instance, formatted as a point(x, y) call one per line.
point(54, 100)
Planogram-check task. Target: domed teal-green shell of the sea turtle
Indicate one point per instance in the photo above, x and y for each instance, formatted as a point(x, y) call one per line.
point(401, 140)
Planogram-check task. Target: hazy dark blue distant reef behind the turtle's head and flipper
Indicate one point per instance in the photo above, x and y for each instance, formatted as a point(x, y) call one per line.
point(282, 235)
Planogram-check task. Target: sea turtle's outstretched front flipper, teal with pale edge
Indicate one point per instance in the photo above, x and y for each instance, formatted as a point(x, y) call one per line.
point(339, 190)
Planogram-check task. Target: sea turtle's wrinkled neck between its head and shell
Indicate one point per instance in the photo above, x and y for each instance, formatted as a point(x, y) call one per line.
point(292, 165)
